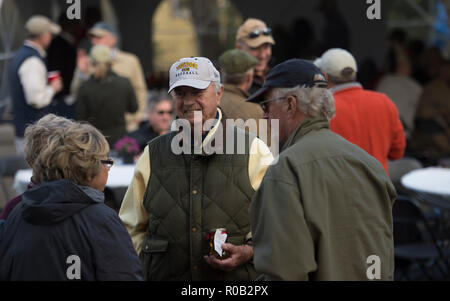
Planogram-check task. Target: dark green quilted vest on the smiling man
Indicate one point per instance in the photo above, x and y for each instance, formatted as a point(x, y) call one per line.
point(186, 197)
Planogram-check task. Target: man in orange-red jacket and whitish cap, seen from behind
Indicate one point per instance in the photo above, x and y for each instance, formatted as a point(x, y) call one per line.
point(366, 118)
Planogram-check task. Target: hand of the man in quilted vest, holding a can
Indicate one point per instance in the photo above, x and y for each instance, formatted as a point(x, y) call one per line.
point(238, 255)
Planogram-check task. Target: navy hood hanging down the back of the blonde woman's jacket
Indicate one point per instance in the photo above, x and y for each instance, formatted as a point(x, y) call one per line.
point(52, 202)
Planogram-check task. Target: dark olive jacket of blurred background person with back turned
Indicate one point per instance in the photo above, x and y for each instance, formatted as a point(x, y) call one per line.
point(104, 102)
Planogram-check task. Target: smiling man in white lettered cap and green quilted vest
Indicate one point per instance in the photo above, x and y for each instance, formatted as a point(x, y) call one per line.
point(177, 204)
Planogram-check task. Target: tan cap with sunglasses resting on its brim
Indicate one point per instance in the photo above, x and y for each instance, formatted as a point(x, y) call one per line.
point(254, 33)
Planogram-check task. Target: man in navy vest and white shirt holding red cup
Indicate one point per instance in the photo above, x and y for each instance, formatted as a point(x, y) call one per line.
point(30, 91)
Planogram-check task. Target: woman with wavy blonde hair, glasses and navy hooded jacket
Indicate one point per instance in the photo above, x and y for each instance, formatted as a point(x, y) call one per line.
point(62, 230)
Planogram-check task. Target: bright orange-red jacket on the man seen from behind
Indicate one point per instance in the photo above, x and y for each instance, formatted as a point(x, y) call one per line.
point(370, 120)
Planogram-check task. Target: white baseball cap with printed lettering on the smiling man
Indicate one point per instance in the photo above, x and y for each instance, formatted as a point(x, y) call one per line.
point(196, 72)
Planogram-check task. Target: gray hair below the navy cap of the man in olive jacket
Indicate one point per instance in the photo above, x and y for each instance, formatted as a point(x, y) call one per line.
point(312, 101)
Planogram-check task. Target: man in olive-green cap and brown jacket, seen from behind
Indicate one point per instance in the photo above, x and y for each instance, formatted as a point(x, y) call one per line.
point(237, 73)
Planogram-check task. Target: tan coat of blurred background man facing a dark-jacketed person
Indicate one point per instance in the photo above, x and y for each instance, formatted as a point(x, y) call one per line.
point(127, 65)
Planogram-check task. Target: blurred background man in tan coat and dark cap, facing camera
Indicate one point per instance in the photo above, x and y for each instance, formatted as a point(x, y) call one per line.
point(123, 63)
